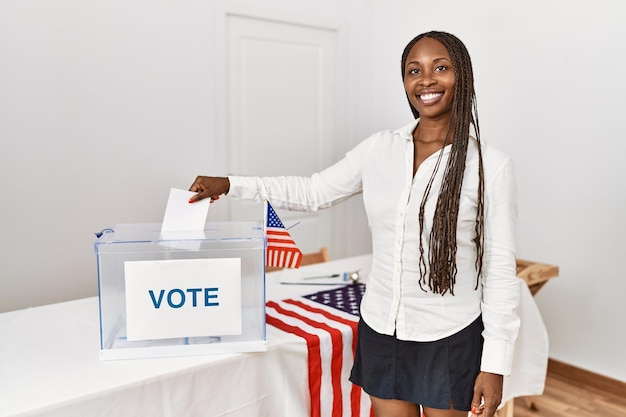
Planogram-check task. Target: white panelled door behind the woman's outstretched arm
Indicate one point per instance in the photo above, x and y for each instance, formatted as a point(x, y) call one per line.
point(281, 114)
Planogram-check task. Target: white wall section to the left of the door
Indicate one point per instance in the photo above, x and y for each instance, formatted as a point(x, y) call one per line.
point(103, 107)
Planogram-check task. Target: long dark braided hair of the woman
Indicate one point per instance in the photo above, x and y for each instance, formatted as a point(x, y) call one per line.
point(442, 243)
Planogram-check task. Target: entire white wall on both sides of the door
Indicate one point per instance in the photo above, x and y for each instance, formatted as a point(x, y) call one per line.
point(106, 105)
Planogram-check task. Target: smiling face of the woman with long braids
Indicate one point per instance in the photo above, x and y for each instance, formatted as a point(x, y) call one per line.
point(429, 79)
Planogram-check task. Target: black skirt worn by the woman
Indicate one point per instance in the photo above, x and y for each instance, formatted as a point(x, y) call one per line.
point(428, 373)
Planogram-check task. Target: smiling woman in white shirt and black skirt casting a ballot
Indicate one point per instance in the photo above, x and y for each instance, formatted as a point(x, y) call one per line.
point(438, 319)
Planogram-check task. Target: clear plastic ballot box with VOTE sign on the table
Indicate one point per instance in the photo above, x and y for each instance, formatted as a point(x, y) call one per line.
point(181, 293)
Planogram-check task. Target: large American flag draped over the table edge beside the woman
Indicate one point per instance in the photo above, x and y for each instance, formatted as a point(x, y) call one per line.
point(327, 321)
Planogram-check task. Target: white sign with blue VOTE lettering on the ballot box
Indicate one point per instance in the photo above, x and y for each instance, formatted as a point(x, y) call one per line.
point(182, 298)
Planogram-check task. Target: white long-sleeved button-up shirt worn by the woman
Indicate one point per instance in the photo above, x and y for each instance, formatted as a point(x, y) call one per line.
point(381, 167)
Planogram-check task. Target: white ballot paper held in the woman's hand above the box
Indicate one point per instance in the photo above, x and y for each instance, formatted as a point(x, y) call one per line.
point(182, 216)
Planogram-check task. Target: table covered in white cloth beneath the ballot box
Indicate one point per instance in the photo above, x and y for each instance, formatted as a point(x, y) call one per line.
point(50, 366)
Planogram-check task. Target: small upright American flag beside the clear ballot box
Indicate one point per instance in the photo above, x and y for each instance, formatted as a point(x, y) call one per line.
point(282, 251)
